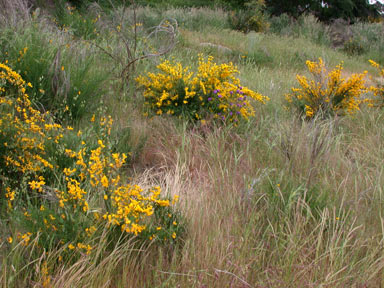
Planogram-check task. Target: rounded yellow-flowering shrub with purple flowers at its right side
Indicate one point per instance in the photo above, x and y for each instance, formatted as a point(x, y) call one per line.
point(212, 91)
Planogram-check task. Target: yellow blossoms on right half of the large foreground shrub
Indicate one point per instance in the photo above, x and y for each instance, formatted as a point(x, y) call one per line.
point(128, 206)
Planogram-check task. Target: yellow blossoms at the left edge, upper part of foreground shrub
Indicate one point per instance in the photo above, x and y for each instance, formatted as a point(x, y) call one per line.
point(25, 129)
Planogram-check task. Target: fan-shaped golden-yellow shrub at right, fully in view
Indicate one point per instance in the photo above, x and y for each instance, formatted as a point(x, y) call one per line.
point(327, 93)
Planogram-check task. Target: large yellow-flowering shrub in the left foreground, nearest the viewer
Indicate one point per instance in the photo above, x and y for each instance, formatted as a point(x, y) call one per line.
point(68, 196)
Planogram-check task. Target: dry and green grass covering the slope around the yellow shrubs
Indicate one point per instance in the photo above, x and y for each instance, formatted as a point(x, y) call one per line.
point(273, 202)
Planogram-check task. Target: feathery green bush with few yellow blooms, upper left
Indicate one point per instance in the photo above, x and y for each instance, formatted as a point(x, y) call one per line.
point(38, 56)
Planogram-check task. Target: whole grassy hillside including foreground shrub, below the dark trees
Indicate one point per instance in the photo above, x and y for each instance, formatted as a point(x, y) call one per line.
point(280, 199)
